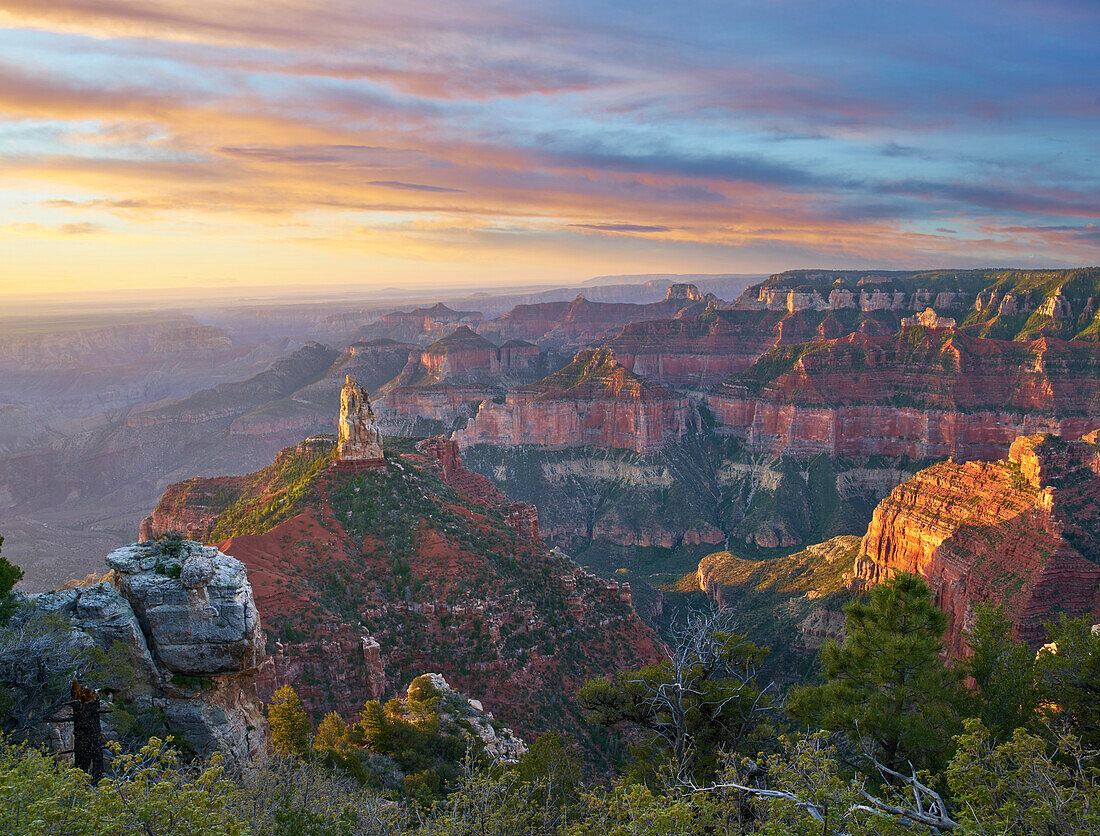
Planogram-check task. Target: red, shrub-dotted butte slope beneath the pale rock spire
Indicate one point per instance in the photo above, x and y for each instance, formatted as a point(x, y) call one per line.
point(366, 580)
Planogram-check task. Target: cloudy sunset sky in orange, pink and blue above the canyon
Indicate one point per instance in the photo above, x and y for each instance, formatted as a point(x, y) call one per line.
point(167, 145)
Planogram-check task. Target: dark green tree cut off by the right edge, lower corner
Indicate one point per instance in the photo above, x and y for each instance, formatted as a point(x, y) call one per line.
point(1070, 676)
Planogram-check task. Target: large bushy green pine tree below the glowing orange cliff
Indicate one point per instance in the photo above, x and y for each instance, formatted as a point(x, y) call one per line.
point(887, 685)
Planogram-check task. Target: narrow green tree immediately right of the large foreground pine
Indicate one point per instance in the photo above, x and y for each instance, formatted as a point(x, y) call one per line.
point(1006, 696)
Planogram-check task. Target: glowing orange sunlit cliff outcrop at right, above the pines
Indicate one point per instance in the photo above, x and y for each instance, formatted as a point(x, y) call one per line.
point(1020, 532)
